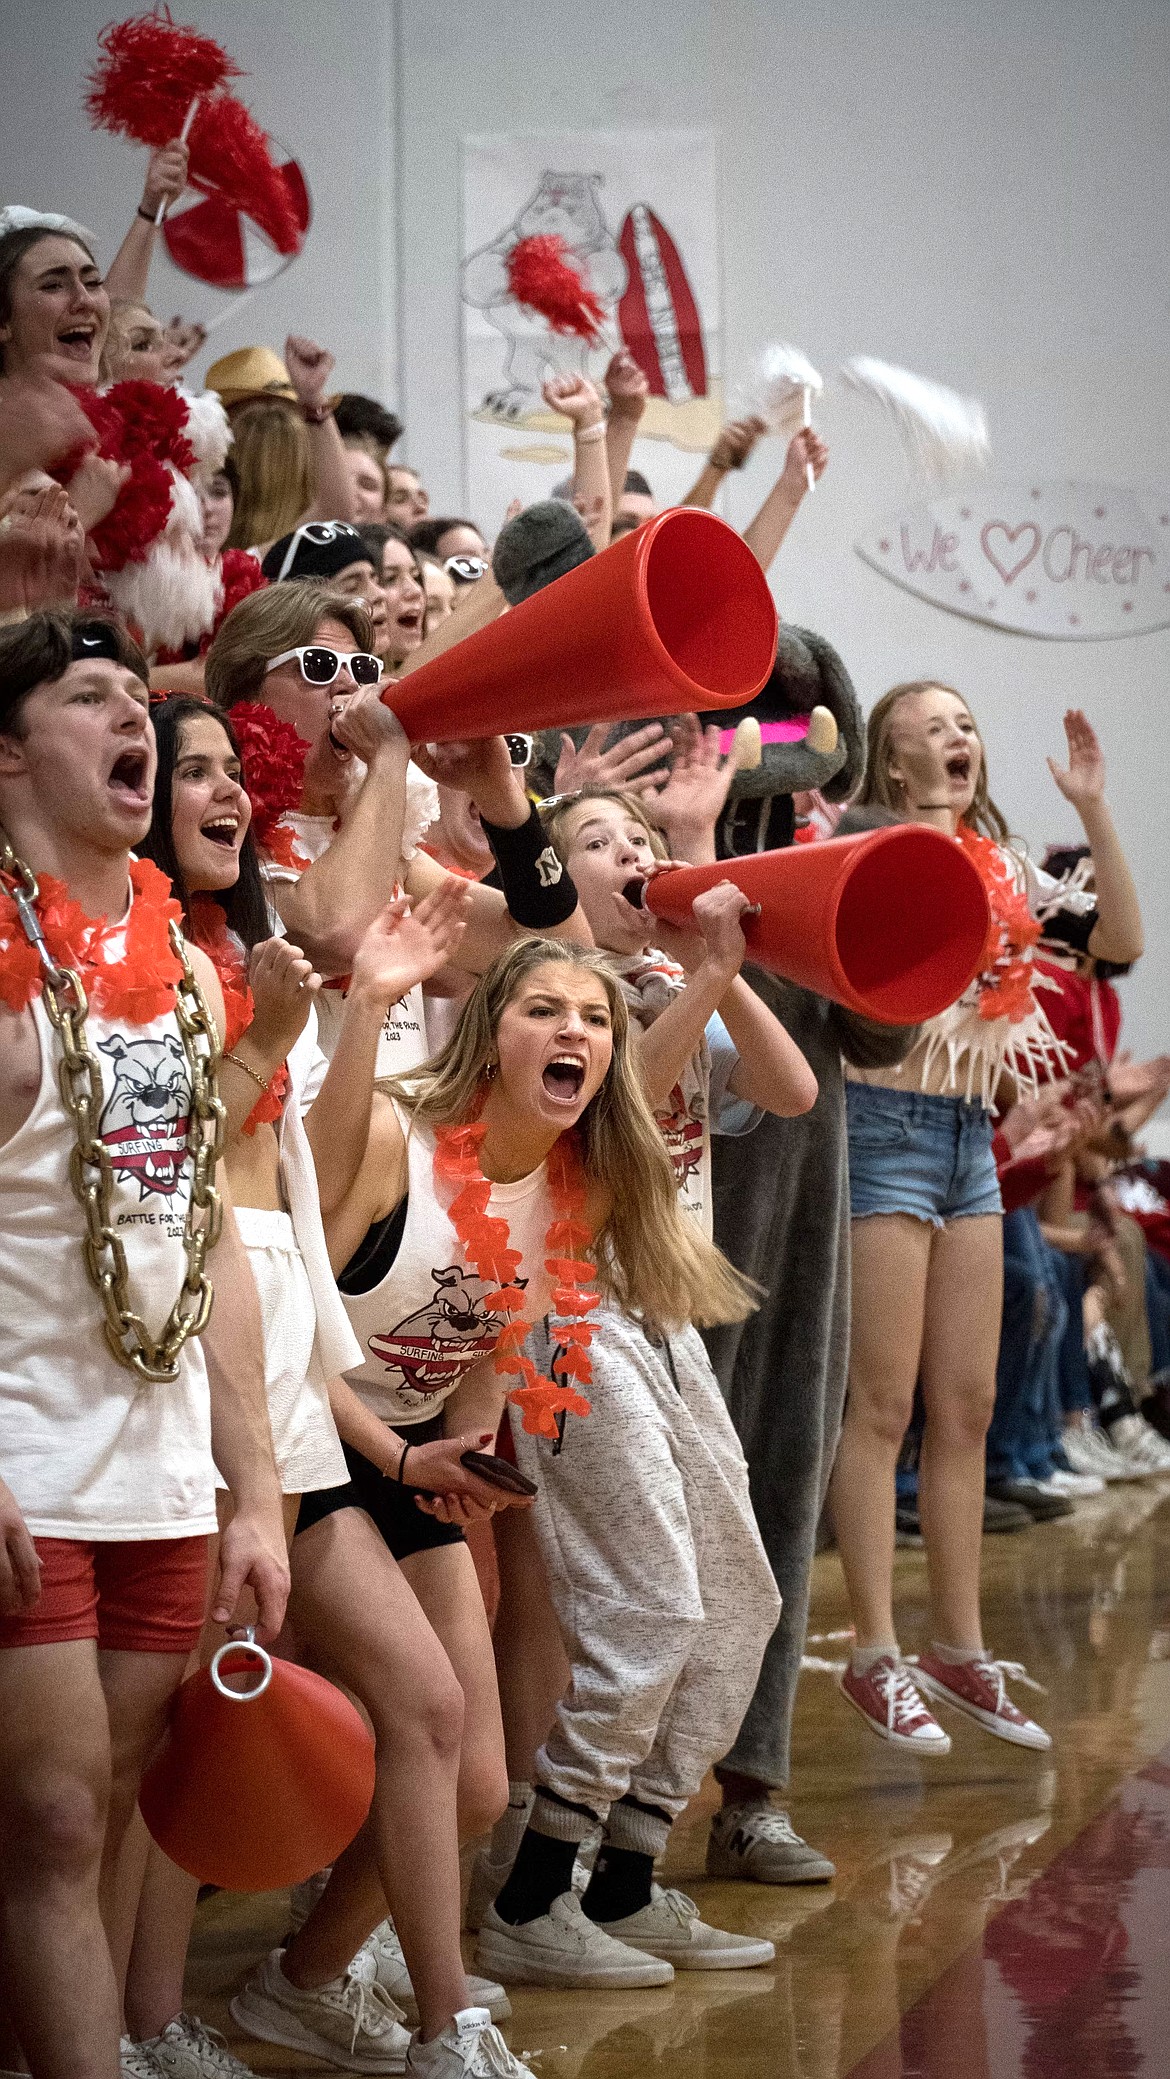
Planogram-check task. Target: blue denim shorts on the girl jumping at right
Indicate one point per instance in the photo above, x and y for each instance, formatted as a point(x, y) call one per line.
point(920, 1155)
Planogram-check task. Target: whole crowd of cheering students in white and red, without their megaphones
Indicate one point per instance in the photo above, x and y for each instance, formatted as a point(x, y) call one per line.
point(570, 1282)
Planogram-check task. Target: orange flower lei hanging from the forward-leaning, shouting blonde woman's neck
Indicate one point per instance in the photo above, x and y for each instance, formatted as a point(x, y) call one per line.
point(485, 1242)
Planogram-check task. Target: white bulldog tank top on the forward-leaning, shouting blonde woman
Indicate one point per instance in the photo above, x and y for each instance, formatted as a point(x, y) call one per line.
point(425, 1325)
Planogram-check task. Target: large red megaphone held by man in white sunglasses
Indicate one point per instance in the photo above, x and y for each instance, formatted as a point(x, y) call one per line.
point(672, 619)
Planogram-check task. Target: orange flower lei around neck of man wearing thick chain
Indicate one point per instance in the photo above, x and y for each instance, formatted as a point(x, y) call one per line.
point(128, 972)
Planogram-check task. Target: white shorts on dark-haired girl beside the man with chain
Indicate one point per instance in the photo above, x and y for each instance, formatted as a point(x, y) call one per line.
point(304, 1433)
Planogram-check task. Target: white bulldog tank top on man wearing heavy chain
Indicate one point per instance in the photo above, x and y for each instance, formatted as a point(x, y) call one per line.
point(90, 1450)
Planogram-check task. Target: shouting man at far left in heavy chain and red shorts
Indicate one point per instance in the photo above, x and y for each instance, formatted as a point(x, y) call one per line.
point(109, 1411)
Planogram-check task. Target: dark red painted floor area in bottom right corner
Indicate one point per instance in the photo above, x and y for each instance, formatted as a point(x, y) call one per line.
point(1071, 1980)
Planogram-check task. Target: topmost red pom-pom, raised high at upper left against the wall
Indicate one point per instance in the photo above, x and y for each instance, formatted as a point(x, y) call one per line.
point(149, 76)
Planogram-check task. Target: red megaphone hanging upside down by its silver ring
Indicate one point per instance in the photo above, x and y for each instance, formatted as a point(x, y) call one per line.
point(257, 1789)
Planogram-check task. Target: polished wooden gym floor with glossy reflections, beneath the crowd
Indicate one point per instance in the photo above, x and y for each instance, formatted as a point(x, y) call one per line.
point(996, 1914)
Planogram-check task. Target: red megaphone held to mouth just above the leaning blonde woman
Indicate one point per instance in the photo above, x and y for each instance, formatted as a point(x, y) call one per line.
point(893, 924)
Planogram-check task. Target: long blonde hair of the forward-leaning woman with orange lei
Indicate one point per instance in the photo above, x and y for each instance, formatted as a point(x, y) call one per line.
point(649, 1257)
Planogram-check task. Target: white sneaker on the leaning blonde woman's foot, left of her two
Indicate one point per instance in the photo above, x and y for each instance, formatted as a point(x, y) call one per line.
point(350, 2022)
